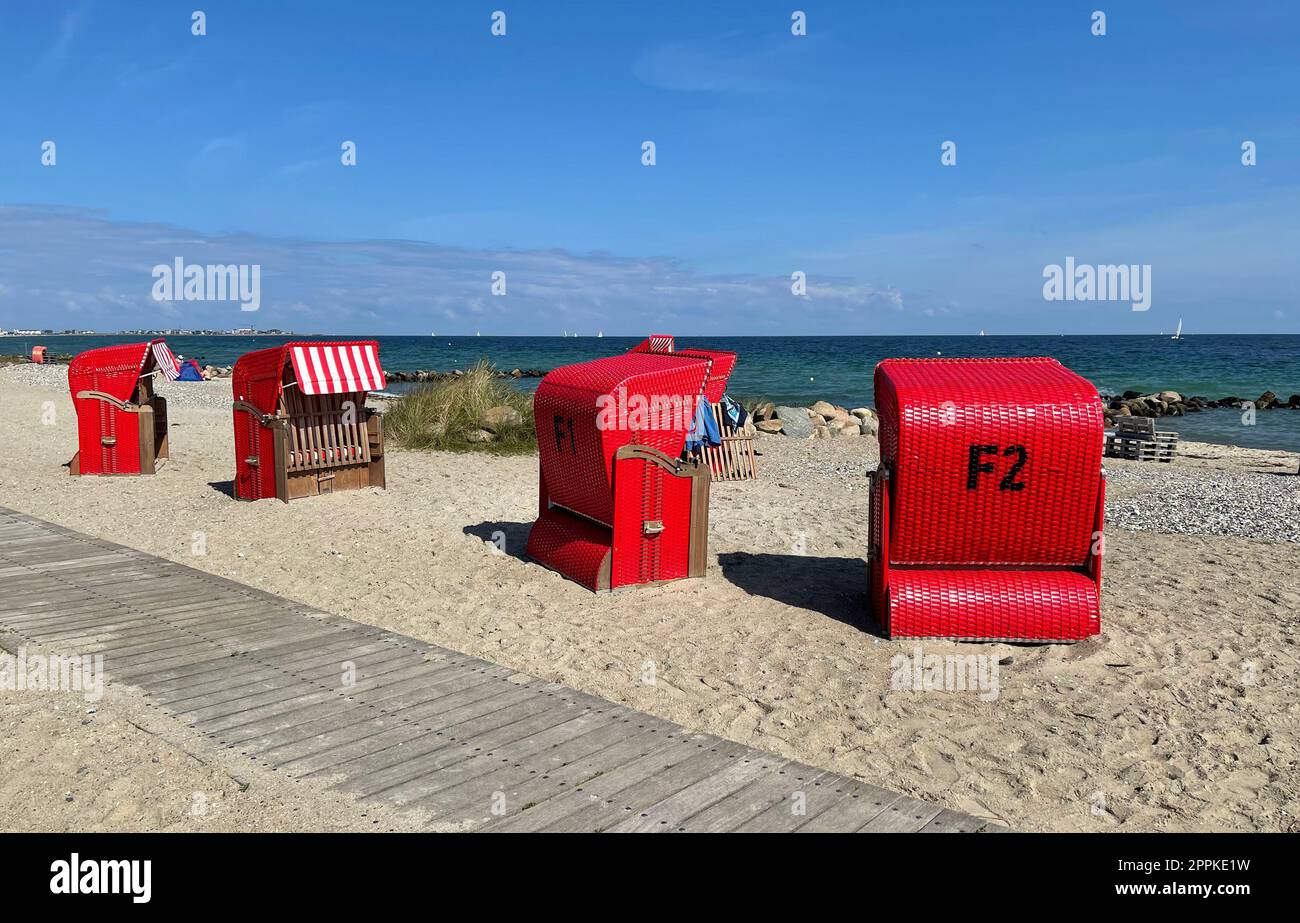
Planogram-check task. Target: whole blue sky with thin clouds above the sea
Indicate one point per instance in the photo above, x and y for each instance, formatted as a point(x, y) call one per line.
point(775, 154)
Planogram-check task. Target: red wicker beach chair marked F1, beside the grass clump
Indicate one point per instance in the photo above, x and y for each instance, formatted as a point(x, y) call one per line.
point(619, 506)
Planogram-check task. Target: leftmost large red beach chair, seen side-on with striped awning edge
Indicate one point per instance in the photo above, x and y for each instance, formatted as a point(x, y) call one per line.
point(122, 423)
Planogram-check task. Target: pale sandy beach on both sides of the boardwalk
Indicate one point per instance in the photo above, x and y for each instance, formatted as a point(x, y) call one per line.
point(1181, 717)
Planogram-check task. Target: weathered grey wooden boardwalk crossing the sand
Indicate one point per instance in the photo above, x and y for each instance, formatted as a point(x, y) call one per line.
point(471, 744)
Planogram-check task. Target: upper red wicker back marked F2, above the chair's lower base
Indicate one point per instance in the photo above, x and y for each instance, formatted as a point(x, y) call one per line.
point(994, 461)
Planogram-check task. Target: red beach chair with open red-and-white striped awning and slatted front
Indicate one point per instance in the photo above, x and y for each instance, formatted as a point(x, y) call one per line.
point(302, 427)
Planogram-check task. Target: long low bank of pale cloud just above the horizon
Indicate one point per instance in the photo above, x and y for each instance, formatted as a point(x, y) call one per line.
point(66, 266)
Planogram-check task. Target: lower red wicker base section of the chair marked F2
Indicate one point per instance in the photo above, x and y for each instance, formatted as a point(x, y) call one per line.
point(990, 605)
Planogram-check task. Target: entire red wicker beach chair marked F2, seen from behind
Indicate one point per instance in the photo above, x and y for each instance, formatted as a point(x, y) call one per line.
point(987, 508)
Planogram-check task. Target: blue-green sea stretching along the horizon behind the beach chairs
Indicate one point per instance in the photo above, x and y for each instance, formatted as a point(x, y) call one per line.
point(803, 370)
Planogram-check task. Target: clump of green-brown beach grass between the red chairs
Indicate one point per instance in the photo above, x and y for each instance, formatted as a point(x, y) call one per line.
point(454, 415)
